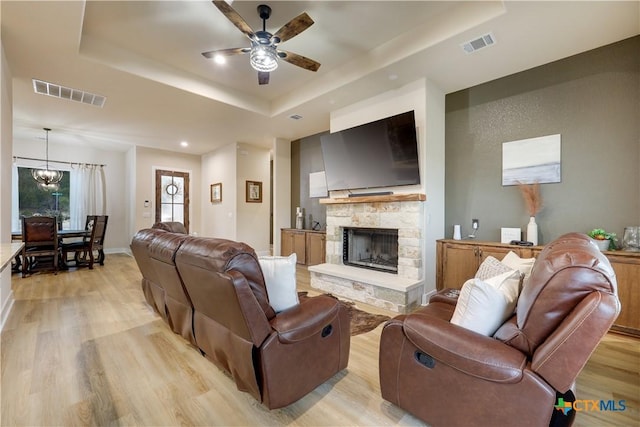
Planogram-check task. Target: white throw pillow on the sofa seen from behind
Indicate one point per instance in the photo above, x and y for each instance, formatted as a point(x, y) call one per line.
point(280, 277)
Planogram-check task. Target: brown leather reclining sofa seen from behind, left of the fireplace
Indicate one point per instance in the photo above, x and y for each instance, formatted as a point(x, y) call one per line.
point(276, 357)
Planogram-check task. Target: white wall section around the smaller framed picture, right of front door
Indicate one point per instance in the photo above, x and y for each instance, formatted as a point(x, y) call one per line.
point(219, 219)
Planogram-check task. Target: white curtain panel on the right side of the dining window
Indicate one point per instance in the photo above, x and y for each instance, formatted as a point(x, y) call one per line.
point(87, 196)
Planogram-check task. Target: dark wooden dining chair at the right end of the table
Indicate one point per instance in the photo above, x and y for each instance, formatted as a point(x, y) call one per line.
point(84, 250)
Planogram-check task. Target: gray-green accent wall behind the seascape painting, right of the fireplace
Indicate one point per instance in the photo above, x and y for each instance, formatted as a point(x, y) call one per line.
point(593, 101)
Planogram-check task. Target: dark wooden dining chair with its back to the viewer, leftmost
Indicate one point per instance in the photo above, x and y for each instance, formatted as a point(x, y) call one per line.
point(40, 238)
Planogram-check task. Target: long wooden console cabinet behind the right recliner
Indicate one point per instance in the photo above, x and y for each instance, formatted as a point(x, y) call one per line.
point(458, 261)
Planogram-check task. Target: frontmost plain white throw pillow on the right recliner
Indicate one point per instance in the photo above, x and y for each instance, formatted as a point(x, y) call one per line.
point(483, 306)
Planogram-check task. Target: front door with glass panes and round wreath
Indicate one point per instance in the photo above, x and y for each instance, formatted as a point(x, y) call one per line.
point(172, 197)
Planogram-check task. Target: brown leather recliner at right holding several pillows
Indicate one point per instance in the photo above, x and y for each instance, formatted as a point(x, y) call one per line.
point(449, 376)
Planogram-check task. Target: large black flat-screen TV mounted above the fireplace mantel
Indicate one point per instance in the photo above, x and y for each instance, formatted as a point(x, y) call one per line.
point(383, 153)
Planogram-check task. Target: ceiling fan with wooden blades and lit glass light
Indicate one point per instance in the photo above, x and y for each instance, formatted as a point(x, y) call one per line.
point(263, 52)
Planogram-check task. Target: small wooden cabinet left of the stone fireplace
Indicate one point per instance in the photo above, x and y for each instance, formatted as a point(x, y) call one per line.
point(308, 245)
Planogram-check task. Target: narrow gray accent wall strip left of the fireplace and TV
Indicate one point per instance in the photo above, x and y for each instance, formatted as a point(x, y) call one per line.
point(306, 158)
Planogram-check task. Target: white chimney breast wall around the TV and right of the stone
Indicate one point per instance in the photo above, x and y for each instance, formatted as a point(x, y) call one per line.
point(427, 101)
